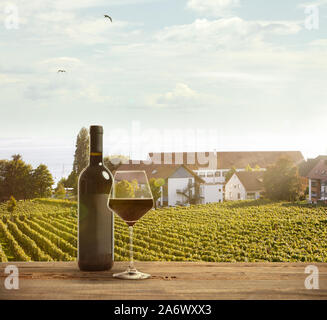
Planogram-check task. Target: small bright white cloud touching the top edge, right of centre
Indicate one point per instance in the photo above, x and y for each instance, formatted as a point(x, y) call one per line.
point(218, 8)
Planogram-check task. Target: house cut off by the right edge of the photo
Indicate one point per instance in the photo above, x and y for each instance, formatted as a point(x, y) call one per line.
point(318, 181)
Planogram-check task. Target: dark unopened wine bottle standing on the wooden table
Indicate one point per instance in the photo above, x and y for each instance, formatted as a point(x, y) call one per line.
point(95, 220)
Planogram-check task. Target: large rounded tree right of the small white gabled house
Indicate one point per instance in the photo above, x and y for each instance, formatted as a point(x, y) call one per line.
point(282, 181)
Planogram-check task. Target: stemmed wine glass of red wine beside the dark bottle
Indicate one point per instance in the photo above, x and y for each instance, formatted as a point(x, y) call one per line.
point(131, 199)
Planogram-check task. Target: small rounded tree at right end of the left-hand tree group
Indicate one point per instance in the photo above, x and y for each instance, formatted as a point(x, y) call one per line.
point(42, 181)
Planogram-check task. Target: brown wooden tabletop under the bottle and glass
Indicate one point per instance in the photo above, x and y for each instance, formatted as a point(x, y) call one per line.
point(170, 280)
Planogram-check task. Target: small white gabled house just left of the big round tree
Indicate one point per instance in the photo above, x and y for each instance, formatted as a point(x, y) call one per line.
point(244, 185)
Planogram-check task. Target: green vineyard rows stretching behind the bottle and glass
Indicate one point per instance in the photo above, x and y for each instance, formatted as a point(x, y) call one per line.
point(250, 231)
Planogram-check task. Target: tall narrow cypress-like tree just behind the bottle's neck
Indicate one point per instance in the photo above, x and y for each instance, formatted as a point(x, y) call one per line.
point(81, 157)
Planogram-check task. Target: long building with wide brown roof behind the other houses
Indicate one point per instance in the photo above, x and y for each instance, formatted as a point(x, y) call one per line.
point(213, 166)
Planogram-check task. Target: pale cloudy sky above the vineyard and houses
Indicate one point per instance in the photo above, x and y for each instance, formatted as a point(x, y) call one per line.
point(165, 75)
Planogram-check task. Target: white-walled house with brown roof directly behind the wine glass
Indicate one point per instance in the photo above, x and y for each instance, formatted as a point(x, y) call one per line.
point(182, 186)
